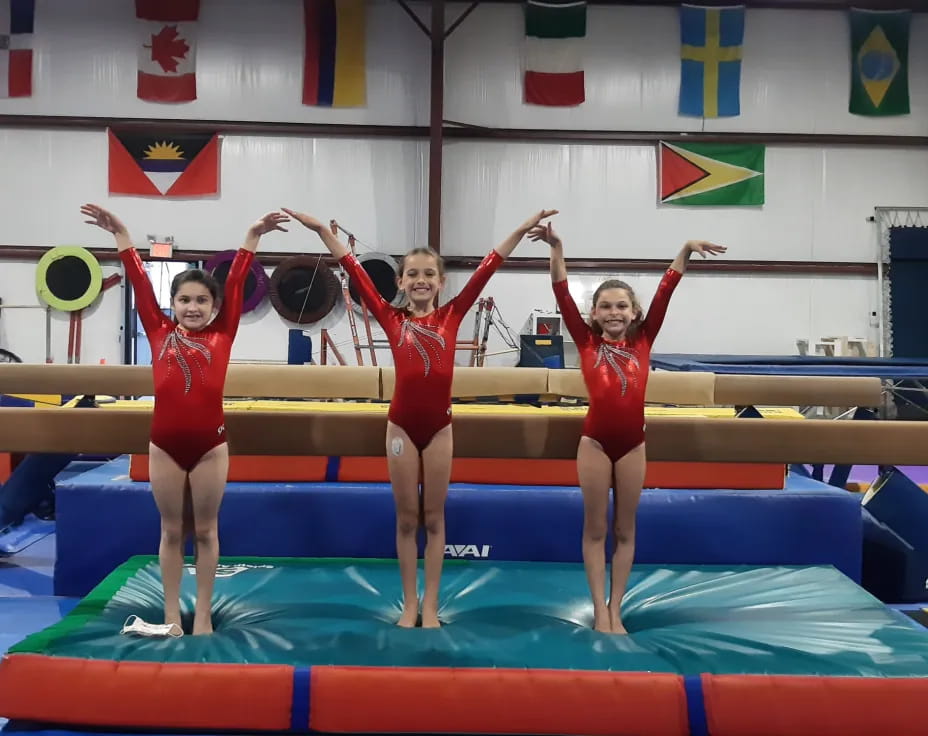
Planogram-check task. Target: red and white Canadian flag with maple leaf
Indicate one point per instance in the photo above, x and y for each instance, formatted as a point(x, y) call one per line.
point(167, 49)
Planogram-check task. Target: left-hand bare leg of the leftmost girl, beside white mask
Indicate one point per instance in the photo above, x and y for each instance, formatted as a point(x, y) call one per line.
point(168, 485)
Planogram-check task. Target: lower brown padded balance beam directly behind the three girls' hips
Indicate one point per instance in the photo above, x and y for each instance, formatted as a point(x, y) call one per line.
point(504, 435)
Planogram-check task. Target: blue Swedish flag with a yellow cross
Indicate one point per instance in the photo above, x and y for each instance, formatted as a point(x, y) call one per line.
point(710, 60)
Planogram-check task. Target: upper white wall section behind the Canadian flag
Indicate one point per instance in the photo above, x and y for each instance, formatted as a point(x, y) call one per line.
point(249, 65)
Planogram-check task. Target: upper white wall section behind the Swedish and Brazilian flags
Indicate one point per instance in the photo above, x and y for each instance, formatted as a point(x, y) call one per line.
point(795, 78)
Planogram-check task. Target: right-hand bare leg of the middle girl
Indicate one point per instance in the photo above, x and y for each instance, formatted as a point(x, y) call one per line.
point(436, 475)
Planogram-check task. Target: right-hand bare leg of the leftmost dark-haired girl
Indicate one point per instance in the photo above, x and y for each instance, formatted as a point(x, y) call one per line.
point(207, 485)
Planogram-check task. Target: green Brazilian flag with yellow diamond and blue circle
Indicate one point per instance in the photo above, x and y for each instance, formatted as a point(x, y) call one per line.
point(879, 62)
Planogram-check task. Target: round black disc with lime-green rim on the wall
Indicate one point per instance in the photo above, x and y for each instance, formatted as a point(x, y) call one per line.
point(68, 278)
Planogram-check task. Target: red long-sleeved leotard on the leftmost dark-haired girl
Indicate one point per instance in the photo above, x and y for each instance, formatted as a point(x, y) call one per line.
point(189, 367)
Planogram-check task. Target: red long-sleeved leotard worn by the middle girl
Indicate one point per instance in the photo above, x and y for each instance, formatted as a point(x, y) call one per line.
point(423, 350)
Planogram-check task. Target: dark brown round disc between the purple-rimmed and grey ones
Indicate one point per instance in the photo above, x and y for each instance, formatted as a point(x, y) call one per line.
point(289, 284)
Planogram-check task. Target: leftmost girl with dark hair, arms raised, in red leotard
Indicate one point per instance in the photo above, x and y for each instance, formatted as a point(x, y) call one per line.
point(188, 455)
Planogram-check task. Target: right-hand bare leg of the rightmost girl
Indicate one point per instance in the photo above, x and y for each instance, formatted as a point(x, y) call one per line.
point(629, 477)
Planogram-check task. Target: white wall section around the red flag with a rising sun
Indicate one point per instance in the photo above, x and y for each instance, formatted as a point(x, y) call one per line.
point(375, 186)
